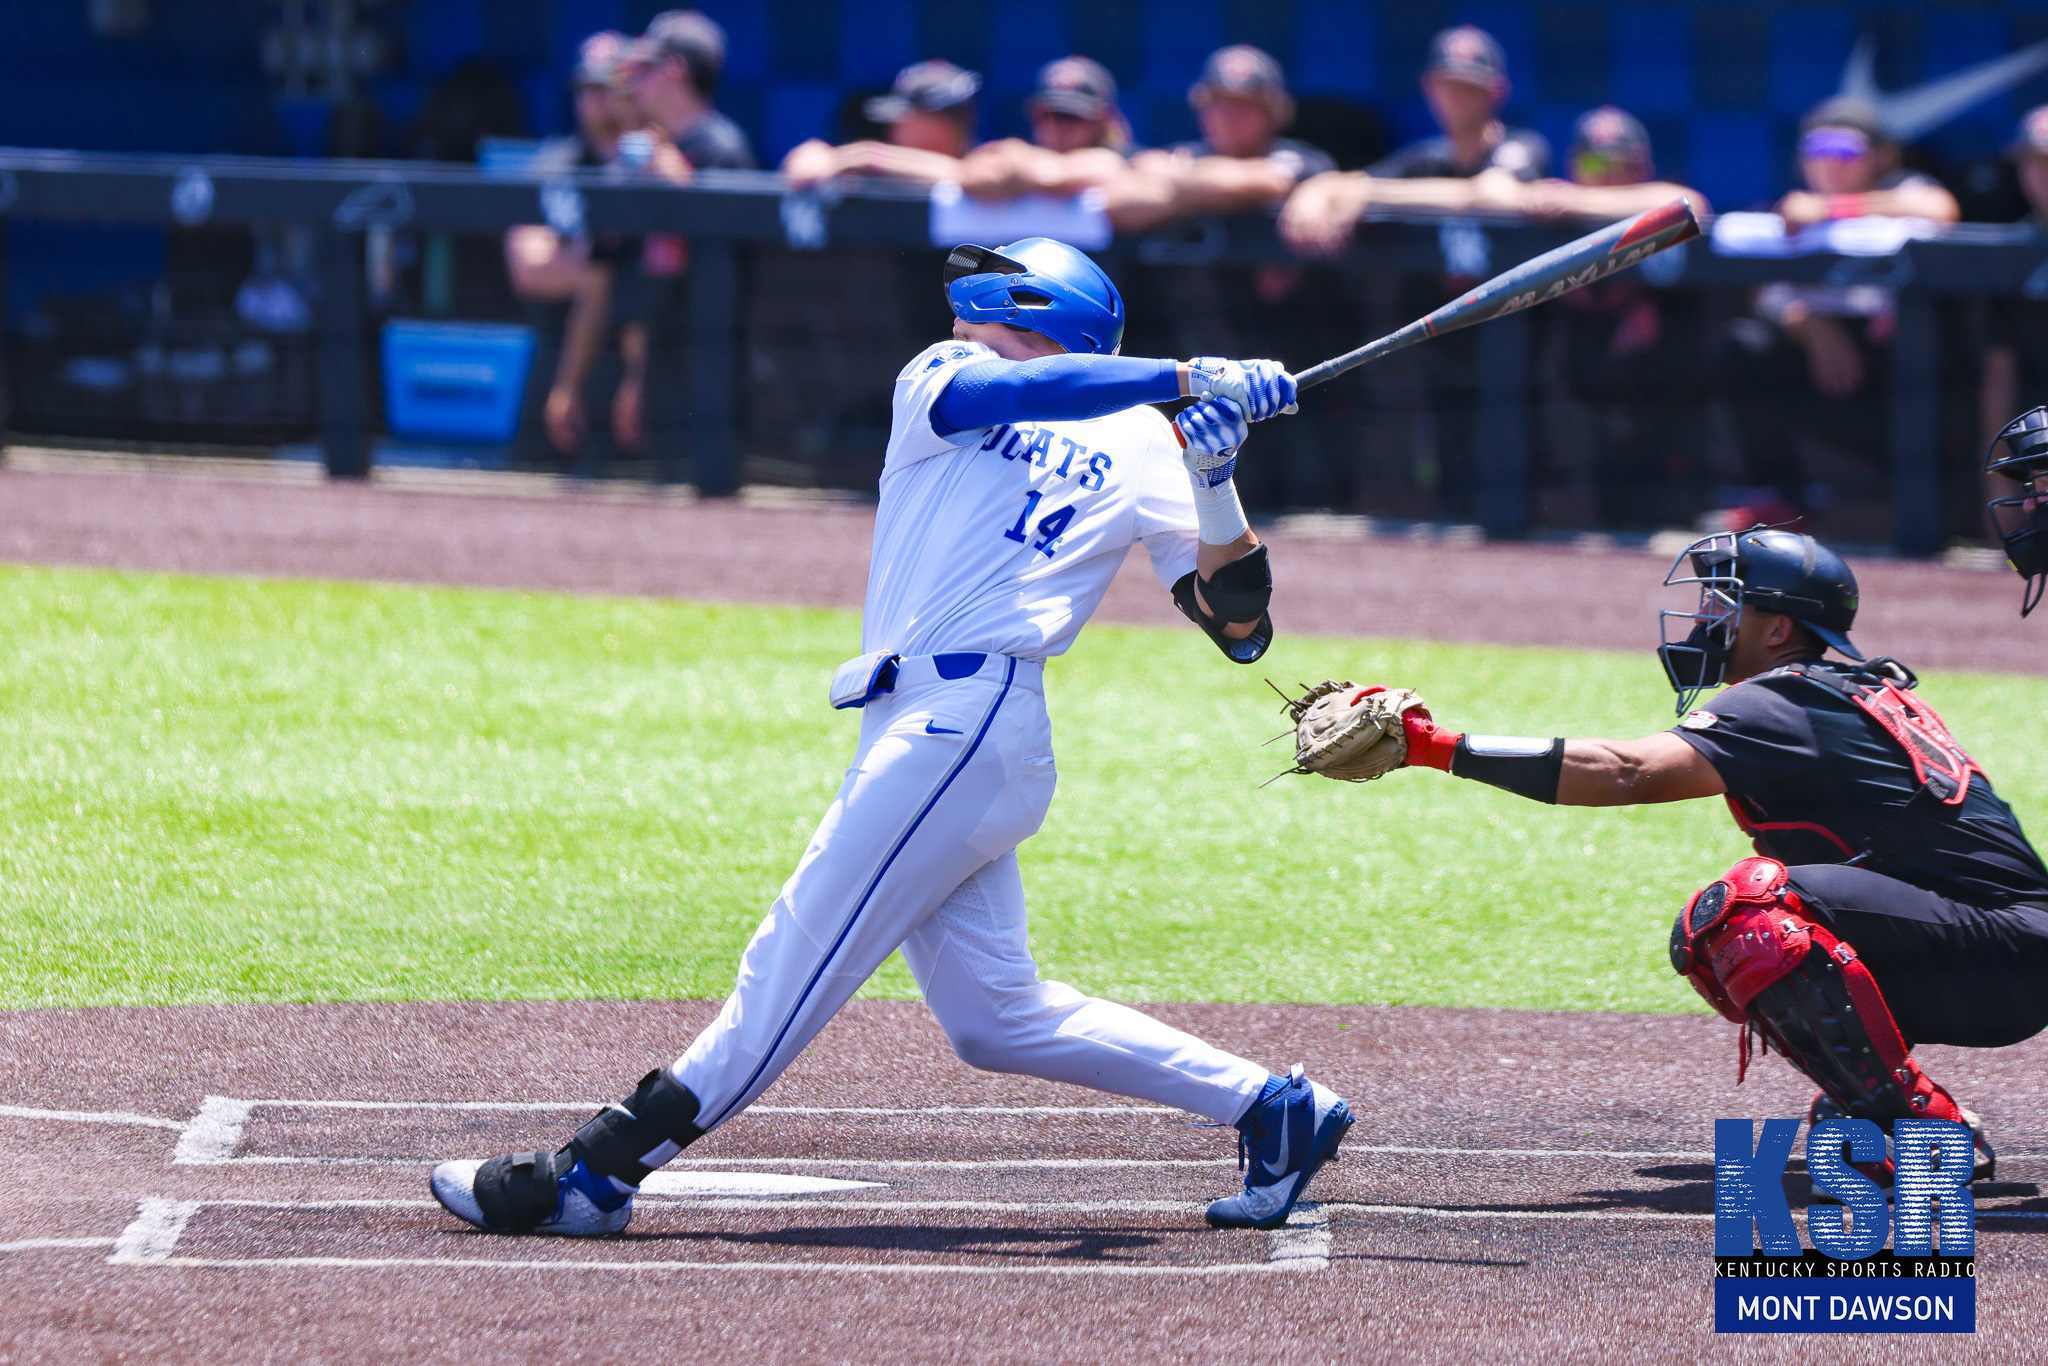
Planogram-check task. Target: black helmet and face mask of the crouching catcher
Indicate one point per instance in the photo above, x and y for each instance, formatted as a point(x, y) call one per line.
point(1768, 568)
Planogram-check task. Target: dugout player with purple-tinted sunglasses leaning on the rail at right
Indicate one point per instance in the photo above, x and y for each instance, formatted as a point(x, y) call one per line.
point(1814, 361)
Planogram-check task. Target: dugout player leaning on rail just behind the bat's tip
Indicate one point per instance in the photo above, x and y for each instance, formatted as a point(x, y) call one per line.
point(1621, 359)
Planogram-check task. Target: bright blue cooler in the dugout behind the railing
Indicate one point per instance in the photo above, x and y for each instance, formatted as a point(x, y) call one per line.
point(456, 380)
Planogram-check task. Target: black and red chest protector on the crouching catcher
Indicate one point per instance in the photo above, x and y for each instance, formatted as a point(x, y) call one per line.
point(1940, 765)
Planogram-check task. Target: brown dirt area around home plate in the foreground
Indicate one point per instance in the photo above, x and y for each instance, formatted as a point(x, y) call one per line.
point(249, 1185)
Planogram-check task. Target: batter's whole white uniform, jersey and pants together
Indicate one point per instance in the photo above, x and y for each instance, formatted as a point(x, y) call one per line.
point(996, 546)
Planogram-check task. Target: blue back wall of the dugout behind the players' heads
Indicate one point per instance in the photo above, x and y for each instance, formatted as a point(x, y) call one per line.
point(1719, 85)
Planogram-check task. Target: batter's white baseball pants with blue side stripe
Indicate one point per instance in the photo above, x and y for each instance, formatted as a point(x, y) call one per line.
point(919, 851)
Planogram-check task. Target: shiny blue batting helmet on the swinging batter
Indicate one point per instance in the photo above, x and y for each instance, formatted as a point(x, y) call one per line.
point(1039, 286)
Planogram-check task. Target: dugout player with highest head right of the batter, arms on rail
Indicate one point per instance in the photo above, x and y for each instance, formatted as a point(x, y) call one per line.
point(1474, 165)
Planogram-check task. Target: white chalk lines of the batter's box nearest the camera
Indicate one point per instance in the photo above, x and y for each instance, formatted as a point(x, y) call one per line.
point(153, 1240)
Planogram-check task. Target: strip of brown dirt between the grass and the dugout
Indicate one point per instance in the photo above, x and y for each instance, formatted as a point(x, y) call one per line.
point(531, 533)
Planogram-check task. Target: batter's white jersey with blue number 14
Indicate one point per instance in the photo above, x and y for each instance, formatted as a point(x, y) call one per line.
point(1005, 540)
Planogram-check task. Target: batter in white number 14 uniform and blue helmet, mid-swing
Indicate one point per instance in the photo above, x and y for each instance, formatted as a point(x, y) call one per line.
point(1023, 466)
